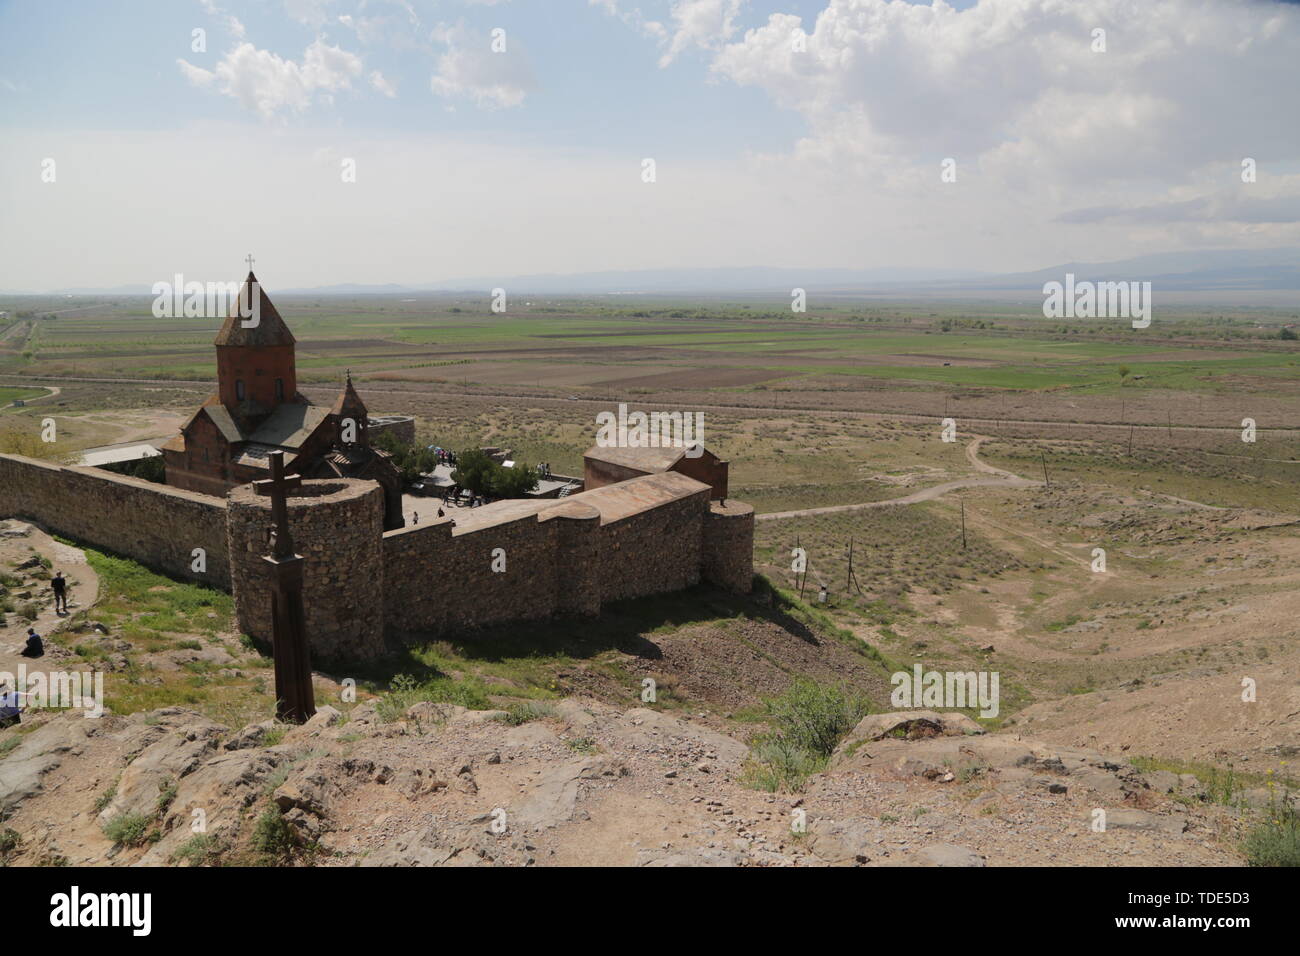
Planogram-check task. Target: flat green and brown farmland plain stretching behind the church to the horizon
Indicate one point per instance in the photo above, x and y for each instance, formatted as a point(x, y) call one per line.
point(610, 341)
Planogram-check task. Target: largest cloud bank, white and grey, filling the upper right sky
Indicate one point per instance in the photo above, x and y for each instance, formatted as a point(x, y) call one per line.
point(1041, 124)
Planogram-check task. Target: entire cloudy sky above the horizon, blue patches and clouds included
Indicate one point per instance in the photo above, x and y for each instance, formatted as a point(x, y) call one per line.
point(417, 141)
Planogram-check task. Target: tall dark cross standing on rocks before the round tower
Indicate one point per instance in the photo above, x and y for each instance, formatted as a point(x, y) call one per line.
point(296, 699)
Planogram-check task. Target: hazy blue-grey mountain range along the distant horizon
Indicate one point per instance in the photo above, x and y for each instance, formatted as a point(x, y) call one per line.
point(1208, 271)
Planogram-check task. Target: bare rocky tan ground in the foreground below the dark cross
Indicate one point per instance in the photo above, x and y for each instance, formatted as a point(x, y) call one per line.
point(584, 784)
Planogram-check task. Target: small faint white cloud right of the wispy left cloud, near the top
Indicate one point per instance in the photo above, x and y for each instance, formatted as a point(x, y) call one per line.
point(470, 70)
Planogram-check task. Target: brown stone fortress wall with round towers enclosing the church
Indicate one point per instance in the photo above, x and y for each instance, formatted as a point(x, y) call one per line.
point(365, 586)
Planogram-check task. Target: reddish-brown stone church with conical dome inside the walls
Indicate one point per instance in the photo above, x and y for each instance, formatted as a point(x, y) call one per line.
point(258, 410)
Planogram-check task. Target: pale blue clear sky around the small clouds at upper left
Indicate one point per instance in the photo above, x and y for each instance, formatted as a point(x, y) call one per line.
point(112, 66)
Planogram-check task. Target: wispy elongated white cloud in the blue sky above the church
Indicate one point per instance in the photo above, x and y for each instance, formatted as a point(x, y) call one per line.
point(267, 84)
